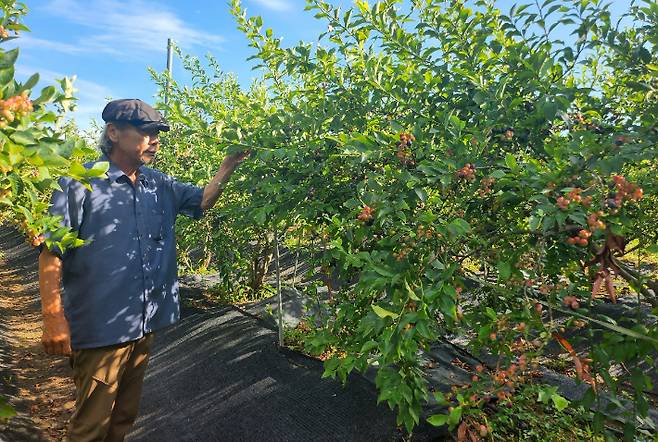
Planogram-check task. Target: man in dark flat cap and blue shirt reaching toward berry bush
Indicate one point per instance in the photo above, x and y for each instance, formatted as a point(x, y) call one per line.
point(121, 286)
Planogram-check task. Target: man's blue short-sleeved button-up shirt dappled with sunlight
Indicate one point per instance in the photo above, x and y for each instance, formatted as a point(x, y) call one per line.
point(123, 283)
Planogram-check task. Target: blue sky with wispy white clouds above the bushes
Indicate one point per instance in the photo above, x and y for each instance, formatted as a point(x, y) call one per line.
point(108, 44)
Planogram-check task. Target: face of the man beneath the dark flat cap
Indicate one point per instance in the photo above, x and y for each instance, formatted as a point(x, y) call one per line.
point(134, 145)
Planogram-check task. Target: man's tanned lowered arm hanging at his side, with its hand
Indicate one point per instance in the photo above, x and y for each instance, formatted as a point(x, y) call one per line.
point(56, 336)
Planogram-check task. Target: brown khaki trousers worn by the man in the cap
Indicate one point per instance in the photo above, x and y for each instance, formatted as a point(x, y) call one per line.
point(108, 384)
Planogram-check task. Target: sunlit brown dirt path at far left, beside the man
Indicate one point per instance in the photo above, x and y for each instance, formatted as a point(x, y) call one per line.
point(37, 385)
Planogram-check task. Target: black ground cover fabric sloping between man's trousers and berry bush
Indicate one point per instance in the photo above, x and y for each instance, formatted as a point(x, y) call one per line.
point(219, 376)
